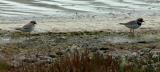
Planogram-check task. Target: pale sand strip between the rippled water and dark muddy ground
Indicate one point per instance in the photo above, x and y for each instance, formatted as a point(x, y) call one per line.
point(88, 22)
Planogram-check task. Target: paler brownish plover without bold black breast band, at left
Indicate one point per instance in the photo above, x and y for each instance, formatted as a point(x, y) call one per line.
point(28, 27)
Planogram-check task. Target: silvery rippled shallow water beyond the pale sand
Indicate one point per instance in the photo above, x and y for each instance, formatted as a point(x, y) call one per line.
point(63, 7)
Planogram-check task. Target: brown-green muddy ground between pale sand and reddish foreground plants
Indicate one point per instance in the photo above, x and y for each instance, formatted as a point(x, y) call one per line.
point(17, 47)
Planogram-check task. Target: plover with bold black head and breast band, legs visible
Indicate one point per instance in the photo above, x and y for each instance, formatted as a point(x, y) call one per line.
point(134, 24)
